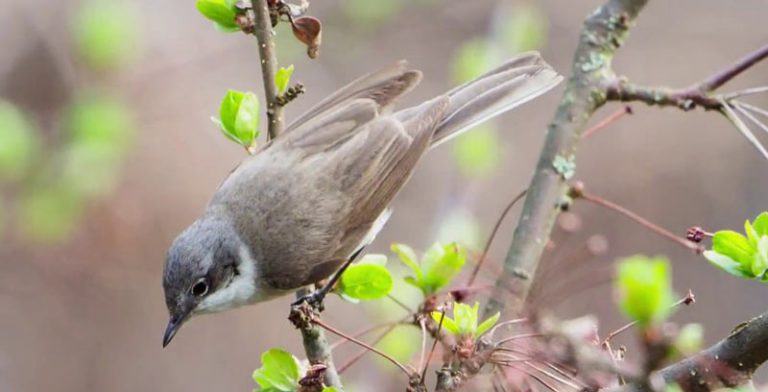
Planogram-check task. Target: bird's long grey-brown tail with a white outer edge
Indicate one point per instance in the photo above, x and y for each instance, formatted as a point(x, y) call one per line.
point(515, 82)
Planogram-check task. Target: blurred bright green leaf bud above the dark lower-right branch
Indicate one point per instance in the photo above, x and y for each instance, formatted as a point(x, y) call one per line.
point(644, 287)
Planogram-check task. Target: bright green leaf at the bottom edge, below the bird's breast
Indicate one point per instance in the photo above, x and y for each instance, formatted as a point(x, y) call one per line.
point(279, 371)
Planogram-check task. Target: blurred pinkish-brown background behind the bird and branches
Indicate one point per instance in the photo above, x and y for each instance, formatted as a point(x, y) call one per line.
point(107, 153)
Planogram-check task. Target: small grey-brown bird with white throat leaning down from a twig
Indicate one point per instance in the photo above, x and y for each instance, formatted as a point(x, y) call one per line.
point(291, 214)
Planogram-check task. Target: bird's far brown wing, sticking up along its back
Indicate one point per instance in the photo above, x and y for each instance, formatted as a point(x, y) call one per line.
point(382, 87)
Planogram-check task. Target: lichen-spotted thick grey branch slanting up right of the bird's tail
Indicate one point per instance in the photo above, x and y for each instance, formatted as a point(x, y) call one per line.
point(604, 32)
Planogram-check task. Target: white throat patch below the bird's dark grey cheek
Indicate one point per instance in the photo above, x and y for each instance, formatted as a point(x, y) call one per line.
point(240, 290)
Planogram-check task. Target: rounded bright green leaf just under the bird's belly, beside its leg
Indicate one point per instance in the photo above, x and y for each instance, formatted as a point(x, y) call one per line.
point(366, 281)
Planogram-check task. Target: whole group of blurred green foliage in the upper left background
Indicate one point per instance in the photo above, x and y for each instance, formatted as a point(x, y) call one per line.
point(57, 175)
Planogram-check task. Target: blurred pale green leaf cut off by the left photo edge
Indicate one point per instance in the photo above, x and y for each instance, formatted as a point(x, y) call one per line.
point(19, 142)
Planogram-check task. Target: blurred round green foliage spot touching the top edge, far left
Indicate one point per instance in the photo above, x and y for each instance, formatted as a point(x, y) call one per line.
point(106, 33)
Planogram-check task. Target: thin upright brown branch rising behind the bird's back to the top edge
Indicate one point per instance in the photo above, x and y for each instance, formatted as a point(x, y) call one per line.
point(268, 56)
